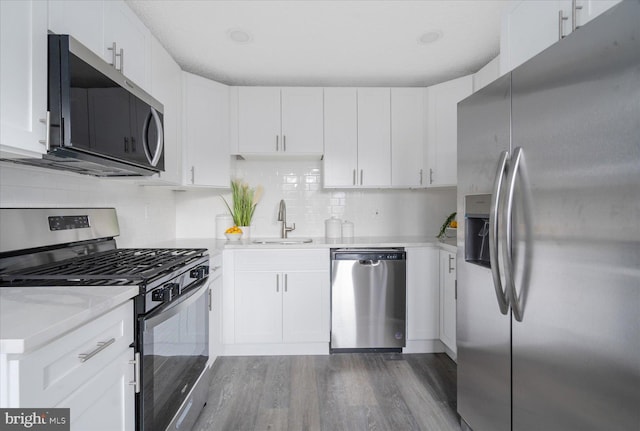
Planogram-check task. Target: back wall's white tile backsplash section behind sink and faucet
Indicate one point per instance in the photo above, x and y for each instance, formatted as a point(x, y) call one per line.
point(299, 183)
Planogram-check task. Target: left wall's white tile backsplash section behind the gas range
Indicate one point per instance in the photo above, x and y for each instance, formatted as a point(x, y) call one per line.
point(146, 214)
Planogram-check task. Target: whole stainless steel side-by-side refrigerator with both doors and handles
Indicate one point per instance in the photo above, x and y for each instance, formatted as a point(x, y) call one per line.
point(548, 310)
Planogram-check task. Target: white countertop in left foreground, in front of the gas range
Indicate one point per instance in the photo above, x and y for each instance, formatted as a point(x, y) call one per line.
point(33, 316)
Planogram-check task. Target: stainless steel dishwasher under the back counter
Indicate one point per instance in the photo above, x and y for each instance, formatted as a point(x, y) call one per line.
point(368, 299)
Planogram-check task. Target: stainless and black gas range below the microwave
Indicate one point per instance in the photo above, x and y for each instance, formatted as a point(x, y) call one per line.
point(76, 247)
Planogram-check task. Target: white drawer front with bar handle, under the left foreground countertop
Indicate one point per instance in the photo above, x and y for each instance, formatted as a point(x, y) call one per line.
point(53, 372)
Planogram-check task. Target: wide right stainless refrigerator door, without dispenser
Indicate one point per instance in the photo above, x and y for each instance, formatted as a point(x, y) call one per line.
point(576, 115)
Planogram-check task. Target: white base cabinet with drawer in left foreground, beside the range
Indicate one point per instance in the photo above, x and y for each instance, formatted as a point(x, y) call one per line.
point(90, 370)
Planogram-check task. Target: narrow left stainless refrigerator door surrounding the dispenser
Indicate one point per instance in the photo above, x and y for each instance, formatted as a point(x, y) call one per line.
point(483, 332)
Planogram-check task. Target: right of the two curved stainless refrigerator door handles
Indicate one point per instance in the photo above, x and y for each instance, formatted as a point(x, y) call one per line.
point(515, 300)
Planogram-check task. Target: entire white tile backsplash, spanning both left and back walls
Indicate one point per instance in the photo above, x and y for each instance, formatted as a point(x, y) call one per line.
point(148, 215)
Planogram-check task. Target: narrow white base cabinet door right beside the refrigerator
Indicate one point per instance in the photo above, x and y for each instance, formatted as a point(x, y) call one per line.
point(448, 299)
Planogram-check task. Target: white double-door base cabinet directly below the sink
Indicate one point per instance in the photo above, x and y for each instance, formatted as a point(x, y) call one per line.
point(279, 298)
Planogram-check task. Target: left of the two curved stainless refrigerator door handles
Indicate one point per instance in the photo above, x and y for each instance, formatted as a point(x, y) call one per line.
point(493, 232)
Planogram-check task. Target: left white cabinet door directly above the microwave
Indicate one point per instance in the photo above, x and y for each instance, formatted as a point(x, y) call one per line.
point(84, 20)
